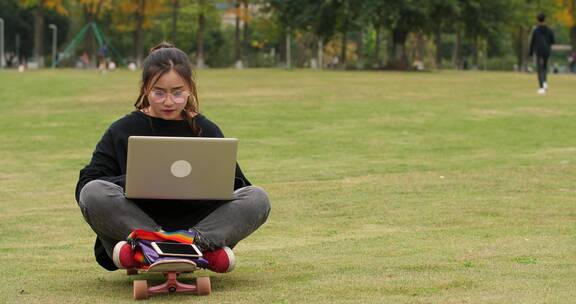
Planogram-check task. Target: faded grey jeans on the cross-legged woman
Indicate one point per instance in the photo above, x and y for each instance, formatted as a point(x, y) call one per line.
point(113, 217)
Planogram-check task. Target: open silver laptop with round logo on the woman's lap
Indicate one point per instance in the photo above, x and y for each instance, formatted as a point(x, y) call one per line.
point(184, 168)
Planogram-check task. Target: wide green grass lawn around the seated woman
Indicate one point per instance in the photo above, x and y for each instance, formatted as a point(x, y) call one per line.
point(444, 187)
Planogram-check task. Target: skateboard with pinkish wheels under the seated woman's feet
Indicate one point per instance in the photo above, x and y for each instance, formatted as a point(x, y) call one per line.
point(171, 269)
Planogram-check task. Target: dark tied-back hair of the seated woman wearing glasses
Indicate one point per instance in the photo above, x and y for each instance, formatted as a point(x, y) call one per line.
point(163, 58)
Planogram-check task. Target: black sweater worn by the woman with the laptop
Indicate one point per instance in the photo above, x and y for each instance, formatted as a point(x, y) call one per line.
point(109, 158)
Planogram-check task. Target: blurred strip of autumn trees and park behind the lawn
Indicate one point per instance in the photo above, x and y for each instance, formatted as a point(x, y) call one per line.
point(323, 34)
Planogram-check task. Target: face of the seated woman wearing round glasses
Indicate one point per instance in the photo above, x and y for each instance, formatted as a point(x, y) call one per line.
point(168, 96)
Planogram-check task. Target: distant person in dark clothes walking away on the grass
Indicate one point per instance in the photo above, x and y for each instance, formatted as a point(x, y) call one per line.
point(540, 45)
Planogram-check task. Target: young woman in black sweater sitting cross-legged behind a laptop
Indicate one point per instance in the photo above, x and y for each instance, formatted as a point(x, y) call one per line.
point(167, 106)
